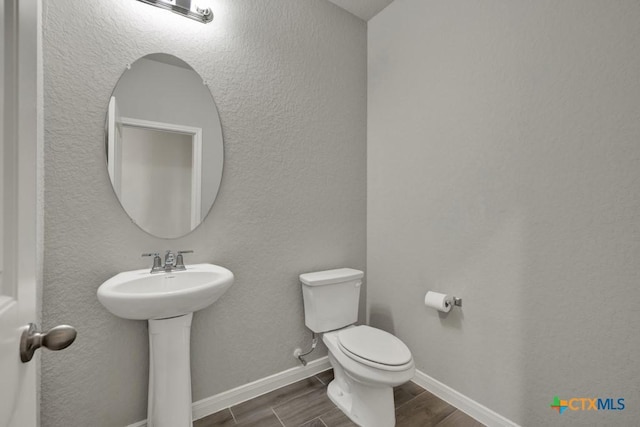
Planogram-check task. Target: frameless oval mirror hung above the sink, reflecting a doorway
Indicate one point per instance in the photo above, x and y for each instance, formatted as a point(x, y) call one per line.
point(164, 145)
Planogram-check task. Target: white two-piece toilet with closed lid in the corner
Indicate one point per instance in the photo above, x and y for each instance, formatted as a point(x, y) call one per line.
point(367, 362)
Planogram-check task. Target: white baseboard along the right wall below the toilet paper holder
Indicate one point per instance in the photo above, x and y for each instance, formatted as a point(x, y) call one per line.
point(462, 402)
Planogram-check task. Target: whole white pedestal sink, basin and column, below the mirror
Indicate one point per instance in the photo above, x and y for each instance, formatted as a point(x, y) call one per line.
point(167, 301)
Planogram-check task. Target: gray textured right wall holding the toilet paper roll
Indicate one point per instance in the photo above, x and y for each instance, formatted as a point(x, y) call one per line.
point(503, 154)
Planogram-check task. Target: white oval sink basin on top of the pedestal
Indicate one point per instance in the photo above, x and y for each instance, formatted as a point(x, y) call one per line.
point(141, 295)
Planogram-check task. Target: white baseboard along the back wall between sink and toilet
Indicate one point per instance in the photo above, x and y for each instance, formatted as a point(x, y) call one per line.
point(213, 404)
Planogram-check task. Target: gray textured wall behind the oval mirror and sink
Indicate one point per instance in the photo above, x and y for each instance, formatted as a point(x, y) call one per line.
point(289, 79)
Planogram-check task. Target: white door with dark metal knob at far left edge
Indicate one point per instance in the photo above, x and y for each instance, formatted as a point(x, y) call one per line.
point(18, 206)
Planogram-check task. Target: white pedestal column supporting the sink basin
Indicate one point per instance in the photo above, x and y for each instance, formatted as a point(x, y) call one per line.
point(170, 372)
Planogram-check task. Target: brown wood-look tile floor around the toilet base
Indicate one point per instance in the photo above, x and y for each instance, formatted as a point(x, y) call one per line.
point(305, 404)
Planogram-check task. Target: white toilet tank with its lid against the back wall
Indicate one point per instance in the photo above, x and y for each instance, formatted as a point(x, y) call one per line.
point(331, 298)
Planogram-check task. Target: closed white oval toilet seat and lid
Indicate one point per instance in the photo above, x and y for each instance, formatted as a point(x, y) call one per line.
point(374, 347)
